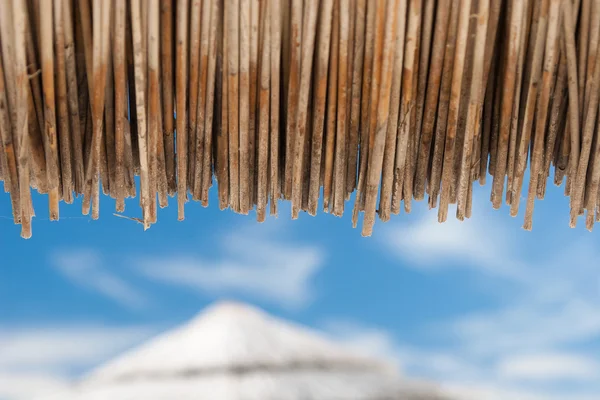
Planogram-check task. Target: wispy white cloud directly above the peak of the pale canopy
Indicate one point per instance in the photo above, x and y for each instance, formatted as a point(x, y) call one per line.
point(251, 264)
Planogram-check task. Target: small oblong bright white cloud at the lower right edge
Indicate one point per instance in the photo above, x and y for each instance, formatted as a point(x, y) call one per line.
point(546, 367)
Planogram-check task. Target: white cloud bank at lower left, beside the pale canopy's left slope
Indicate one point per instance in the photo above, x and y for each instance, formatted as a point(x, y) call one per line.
point(38, 360)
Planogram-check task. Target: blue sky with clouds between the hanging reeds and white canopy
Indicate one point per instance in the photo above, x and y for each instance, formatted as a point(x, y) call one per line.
point(482, 307)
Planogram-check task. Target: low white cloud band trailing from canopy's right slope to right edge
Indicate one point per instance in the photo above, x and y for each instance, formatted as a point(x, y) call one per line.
point(463, 377)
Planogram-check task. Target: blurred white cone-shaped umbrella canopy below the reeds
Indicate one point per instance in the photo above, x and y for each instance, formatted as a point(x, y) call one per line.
point(236, 352)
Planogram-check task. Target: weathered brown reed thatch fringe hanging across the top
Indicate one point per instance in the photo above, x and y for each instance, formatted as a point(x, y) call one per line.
point(393, 99)
